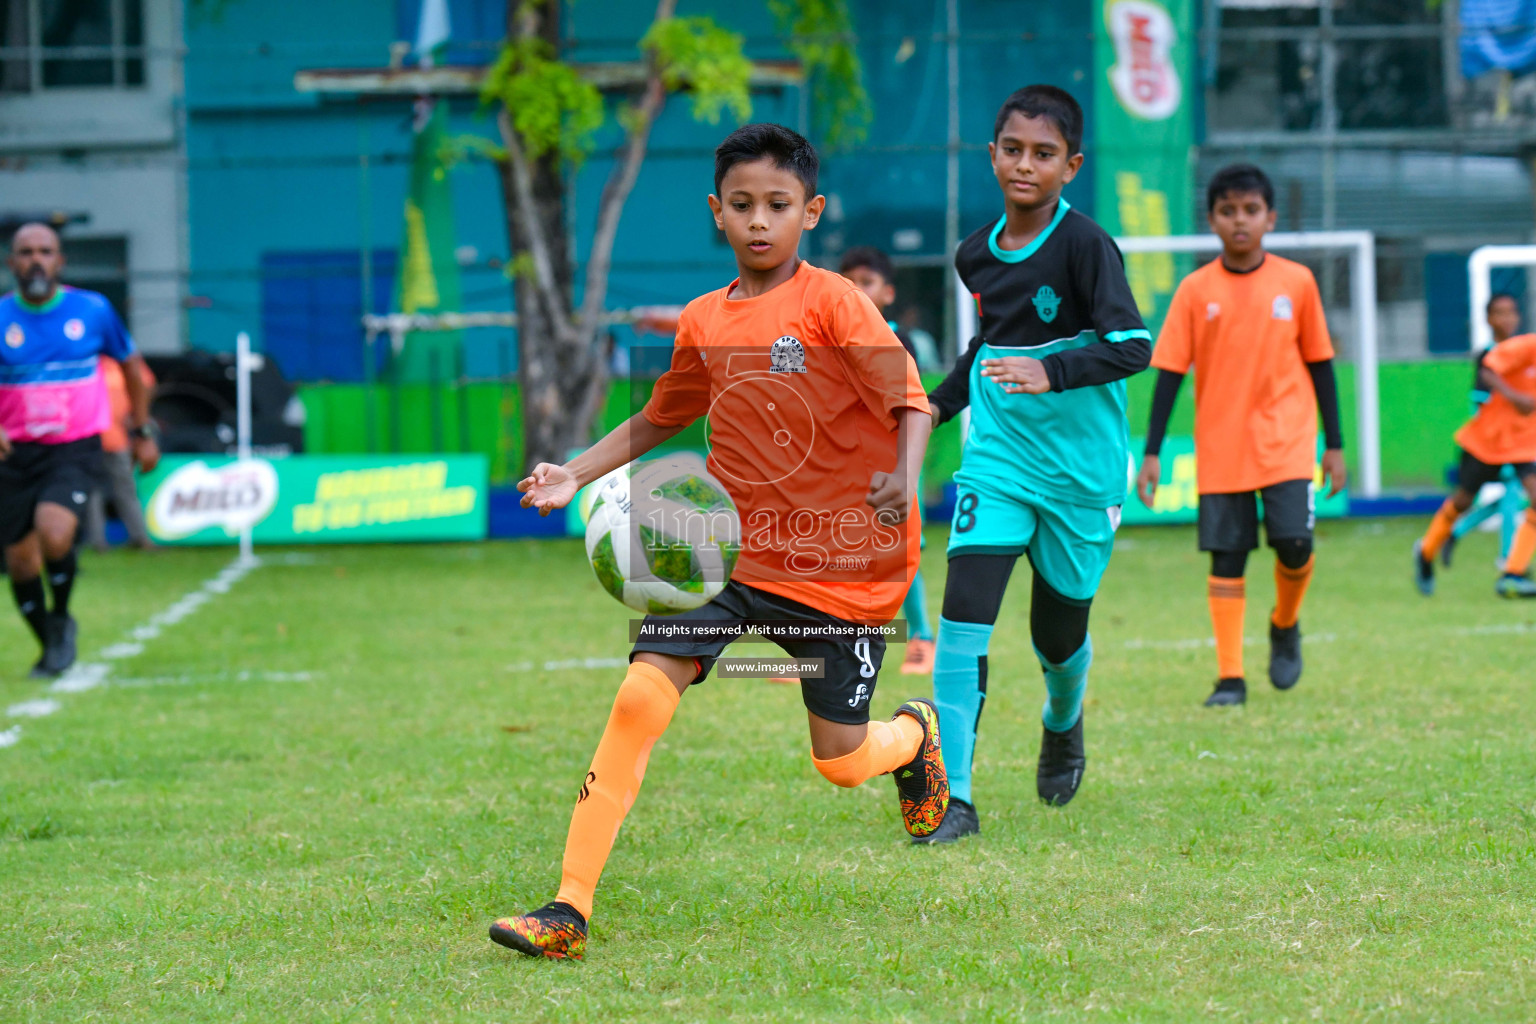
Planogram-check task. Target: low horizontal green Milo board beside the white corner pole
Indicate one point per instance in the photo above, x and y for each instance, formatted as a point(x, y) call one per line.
point(317, 500)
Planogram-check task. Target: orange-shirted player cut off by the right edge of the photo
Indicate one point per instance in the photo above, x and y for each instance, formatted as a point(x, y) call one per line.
point(1501, 434)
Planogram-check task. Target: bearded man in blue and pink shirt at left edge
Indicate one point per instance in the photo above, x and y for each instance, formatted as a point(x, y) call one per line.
point(53, 412)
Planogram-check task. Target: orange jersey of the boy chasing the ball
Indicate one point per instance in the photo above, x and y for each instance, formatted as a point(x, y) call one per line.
point(803, 386)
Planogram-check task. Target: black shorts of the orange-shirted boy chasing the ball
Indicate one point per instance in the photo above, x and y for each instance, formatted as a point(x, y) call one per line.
point(850, 666)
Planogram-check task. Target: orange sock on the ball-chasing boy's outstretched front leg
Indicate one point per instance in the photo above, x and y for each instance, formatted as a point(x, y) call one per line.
point(641, 713)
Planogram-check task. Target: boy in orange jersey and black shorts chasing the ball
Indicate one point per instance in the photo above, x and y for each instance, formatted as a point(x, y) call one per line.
point(818, 426)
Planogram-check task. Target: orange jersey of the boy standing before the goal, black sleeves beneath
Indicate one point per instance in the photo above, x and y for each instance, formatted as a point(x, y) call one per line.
point(1248, 339)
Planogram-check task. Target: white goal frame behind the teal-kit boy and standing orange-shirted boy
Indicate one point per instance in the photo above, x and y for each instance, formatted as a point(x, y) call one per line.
point(1360, 248)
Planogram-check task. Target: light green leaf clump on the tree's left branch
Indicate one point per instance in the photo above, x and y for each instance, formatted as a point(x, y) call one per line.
point(552, 108)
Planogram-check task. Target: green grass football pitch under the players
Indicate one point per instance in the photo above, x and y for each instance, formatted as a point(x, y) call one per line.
point(308, 801)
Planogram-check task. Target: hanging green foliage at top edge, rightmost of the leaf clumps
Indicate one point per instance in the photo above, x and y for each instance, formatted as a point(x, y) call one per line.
point(823, 36)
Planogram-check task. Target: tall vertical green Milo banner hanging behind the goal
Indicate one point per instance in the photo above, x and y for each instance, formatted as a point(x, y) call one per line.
point(1144, 130)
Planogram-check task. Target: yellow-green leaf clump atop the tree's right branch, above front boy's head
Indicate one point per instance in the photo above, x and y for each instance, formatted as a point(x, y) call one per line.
point(707, 59)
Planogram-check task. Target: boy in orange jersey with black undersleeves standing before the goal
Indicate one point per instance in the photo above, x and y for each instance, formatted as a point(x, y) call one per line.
point(1251, 326)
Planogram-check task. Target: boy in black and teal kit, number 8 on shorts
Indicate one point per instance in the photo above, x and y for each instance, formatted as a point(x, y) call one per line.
point(1044, 471)
